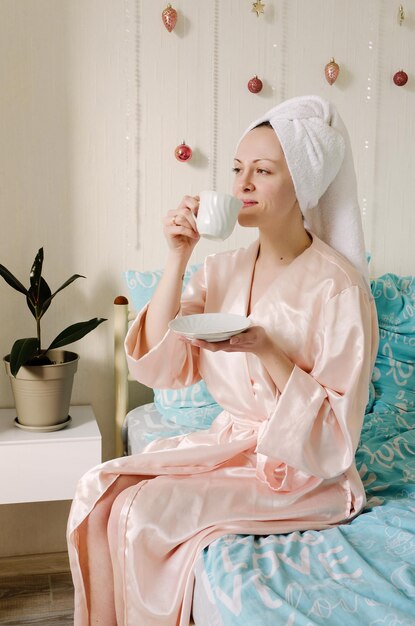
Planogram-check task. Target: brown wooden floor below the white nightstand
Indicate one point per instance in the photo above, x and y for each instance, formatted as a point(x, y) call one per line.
point(36, 589)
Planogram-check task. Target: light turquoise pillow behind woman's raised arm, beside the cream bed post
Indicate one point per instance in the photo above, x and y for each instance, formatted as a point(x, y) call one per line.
point(192, 406)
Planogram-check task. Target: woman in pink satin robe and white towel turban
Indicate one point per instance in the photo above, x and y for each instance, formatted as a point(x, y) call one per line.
point(294, 386)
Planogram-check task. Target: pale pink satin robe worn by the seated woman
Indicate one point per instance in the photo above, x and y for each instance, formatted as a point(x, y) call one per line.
point(271, 462)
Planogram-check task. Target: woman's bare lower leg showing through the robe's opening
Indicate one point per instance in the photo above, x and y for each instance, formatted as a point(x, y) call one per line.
point(95, 556)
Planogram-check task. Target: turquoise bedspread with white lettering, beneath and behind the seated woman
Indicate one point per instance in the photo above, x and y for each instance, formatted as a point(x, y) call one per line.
point(362, 573)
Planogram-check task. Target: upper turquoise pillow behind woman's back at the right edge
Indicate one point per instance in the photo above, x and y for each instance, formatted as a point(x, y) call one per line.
point(394, 372)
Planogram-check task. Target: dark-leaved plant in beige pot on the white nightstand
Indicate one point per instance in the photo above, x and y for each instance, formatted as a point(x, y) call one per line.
point(42, 378)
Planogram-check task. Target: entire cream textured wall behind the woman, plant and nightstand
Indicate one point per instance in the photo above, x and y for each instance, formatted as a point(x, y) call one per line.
point(95, 96)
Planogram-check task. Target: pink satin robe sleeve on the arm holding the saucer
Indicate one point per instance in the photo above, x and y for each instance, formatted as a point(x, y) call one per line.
point(317, 420)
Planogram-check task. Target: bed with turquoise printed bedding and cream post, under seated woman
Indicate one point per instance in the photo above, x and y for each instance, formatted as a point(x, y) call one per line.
point(361, 573)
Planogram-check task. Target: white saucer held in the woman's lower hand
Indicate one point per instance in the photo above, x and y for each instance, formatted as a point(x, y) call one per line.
point(210, 326)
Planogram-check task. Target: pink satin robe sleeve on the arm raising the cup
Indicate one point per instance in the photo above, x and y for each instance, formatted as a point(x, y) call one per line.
point(171, 363)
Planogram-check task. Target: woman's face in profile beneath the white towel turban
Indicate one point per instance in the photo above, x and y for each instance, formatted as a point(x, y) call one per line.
point(263, 181)
